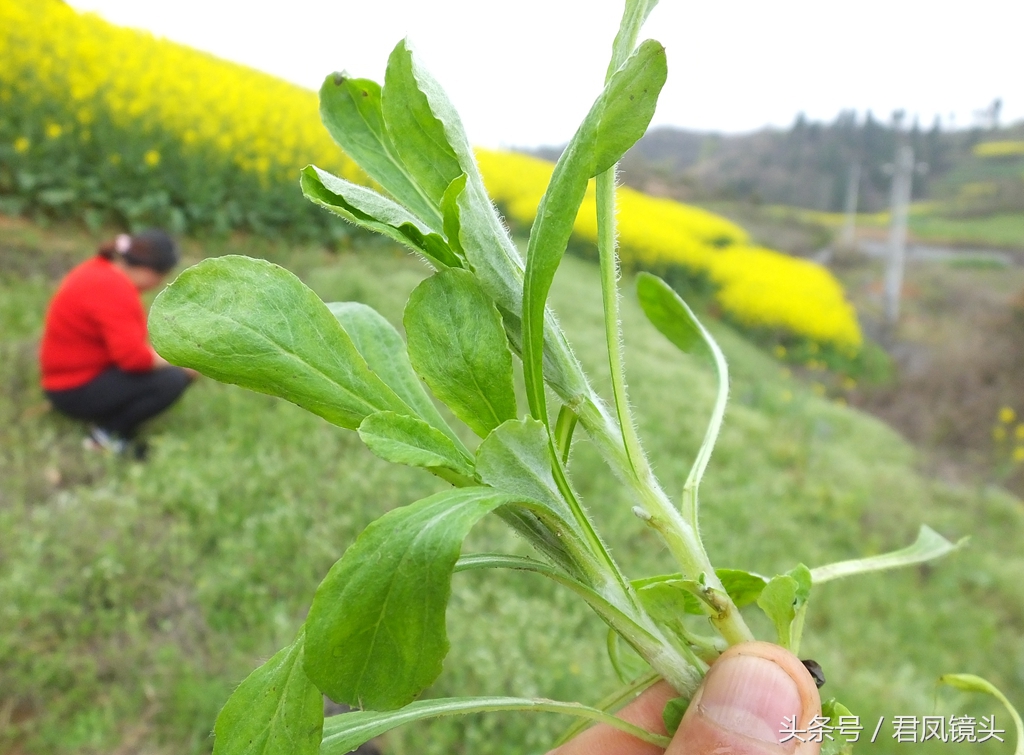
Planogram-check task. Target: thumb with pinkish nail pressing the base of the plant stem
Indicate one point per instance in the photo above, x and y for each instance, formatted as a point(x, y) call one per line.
point(741, 706)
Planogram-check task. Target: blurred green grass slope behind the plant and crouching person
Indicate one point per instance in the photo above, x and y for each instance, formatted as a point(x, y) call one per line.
point(134, 598)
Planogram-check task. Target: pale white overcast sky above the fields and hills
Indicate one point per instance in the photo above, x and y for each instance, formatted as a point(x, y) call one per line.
point(525, 73)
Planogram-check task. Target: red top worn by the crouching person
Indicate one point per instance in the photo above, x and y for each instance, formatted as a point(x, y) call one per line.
point(96, 322)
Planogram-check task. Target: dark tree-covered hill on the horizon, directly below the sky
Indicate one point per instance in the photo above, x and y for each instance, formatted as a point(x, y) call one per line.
point(808, 165)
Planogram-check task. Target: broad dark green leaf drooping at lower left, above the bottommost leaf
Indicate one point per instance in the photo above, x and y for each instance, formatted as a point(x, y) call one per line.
point(375, 634)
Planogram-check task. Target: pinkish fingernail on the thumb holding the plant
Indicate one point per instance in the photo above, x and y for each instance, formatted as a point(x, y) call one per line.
point(750, 696)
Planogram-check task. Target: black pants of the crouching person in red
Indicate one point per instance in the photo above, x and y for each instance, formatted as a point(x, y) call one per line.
point(119, 402)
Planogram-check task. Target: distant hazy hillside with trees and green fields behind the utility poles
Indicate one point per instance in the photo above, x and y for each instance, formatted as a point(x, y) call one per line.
point(789, 187)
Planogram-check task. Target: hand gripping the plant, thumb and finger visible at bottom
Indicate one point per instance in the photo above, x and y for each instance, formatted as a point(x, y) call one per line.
point(739, 710)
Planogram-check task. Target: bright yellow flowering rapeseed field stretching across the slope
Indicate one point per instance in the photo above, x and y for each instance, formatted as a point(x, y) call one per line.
point(110, 123)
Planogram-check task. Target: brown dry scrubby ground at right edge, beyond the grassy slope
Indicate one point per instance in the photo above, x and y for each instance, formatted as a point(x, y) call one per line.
point(959, 352)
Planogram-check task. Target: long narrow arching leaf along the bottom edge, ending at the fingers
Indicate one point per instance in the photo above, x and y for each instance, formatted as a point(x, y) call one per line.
point(344, 734)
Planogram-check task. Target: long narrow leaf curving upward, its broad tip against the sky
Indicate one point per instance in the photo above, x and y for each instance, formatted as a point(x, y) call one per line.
point(616, 121)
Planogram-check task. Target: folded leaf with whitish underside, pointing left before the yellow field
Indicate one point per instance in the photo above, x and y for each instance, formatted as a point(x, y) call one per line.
point(366, 208)
